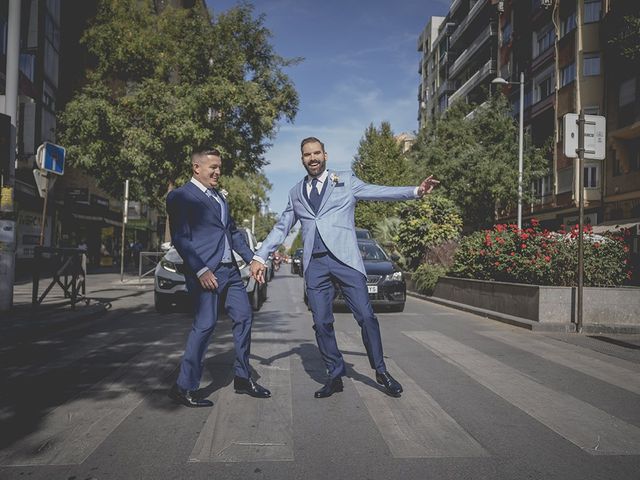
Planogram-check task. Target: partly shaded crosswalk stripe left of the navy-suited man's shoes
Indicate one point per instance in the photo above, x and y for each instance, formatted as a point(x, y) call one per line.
point(71, 432)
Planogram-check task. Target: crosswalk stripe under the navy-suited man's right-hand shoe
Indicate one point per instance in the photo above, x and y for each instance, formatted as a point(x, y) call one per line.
point(241, 428)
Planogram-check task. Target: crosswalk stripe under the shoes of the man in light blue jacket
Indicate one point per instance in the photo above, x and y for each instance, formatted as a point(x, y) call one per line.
point(414, 425)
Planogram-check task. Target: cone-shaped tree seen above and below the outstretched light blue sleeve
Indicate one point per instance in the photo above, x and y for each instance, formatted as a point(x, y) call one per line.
point(379, 160)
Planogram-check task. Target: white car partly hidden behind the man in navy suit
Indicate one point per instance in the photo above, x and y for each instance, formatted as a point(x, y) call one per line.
point(170, 287)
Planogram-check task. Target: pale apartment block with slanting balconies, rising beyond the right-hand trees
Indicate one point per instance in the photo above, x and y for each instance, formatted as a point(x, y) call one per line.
point(459, 57)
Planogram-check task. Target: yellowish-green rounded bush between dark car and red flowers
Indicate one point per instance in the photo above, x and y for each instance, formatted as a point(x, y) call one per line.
point(426, 223)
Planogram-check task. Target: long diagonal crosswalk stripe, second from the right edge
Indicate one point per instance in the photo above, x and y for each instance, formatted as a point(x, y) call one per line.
point(584, 425)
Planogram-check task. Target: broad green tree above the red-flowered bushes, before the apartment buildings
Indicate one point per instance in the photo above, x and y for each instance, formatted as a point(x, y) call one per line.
point(476, 159)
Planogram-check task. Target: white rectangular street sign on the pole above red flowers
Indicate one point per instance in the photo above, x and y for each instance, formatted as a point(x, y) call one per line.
point(594, 136)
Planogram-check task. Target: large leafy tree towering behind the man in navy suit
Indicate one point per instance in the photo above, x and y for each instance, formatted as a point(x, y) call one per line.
point(167, 82)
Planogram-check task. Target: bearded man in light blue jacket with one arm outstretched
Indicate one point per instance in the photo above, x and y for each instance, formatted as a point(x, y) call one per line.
point(324, 202)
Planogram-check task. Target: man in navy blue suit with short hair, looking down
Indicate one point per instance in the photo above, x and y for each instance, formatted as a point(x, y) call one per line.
point(204, 234)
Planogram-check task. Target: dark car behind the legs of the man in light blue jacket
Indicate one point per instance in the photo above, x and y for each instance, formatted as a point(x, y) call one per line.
point(385, 282)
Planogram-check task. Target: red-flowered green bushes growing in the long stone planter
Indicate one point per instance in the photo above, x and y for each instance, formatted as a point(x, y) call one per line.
point(539, 257)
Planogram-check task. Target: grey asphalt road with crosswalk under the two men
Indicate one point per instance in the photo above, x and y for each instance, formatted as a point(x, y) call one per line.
point(482, 400)
